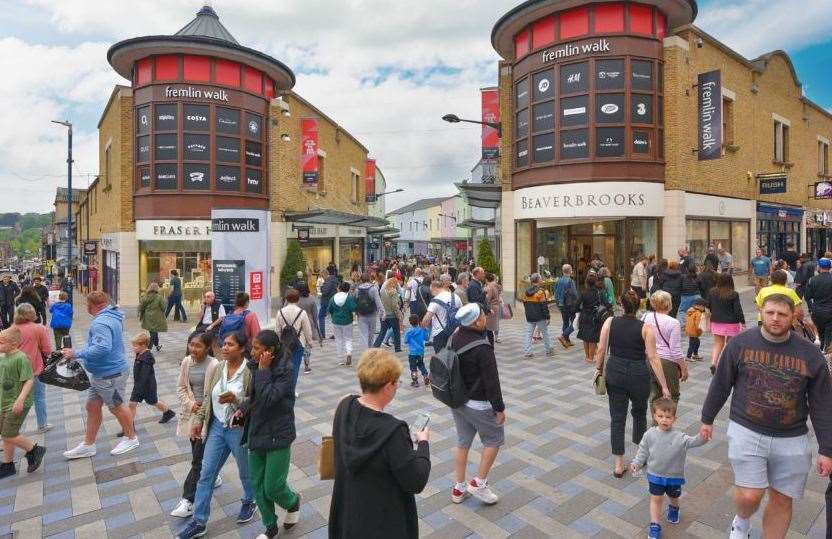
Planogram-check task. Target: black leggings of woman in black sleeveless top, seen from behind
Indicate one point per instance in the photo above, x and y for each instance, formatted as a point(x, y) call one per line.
point(628, 383)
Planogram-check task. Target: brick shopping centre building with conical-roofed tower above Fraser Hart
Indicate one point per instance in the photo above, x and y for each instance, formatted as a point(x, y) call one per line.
point(208, 123)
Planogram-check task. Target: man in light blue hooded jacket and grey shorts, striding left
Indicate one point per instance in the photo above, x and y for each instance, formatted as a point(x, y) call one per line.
point(103, 359)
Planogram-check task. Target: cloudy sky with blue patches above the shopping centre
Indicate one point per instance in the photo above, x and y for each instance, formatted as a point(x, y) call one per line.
point(385, 72)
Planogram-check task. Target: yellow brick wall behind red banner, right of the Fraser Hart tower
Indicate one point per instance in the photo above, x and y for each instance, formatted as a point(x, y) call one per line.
point(343, 154)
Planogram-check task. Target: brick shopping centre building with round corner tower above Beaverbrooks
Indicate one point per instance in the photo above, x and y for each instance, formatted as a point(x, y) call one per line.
point(628, 131)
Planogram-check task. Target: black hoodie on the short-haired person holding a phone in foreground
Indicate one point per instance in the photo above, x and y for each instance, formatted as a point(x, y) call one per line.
point(377, 474)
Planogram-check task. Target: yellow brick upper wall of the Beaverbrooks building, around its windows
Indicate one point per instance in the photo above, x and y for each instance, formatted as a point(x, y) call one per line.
point(753, 125)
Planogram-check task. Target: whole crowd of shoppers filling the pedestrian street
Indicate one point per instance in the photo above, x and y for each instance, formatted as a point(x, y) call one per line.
point(238, 383)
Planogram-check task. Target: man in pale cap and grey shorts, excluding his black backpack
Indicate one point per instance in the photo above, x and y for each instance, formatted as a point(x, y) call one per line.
point(484, 413)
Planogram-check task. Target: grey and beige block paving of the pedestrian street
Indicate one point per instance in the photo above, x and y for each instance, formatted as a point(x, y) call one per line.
point(553, 476)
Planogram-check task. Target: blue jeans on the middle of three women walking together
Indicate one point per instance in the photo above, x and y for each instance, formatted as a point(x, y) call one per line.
point(219, 443)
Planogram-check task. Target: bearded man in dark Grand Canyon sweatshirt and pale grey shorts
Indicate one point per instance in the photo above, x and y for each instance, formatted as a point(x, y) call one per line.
point(778, 379)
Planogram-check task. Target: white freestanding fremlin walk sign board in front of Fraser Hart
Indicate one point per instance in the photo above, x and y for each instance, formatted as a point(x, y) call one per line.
point(243, 235)
